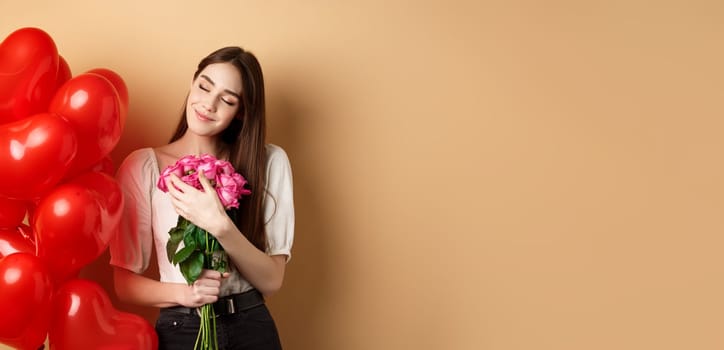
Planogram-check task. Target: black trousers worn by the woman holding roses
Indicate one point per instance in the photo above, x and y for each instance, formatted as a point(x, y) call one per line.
point(252, 329)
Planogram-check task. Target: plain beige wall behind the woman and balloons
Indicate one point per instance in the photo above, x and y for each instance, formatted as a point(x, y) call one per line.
point(481, 174)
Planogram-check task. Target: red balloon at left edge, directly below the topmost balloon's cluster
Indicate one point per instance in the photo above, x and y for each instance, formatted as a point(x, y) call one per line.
point(35, 153)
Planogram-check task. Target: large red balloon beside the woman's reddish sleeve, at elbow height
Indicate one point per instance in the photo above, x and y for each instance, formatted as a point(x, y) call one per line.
point(67, 223)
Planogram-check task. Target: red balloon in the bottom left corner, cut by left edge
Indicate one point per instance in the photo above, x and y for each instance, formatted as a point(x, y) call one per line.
point(25, 296)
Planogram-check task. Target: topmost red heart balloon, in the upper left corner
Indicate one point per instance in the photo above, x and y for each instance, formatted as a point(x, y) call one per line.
point(28, 73)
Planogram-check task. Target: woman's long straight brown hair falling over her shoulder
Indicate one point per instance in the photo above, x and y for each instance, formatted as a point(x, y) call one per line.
point(244, 139)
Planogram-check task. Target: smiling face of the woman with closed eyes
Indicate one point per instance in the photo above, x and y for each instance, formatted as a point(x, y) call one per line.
point(213, 99)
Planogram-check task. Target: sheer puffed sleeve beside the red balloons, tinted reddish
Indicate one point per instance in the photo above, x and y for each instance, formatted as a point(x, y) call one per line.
point(131, 247)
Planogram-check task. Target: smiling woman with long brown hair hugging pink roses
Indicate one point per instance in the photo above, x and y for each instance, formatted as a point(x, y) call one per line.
point(224, 117)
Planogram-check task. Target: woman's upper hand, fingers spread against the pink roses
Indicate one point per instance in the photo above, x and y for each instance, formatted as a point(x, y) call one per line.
point(203, 208)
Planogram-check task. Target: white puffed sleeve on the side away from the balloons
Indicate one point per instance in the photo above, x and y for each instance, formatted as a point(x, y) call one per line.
point(279, 203)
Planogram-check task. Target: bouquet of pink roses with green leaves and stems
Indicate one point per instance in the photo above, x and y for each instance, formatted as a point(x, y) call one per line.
point(201, 250)
